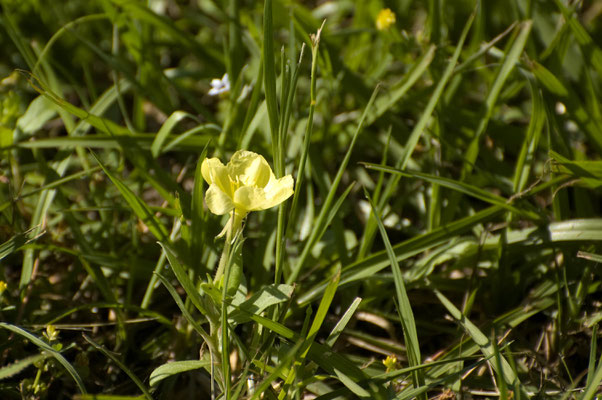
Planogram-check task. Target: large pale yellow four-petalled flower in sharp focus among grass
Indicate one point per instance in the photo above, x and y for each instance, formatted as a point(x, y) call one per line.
point(246, 184)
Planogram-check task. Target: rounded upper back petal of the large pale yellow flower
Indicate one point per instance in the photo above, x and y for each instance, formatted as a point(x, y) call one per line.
point(250, 168)
